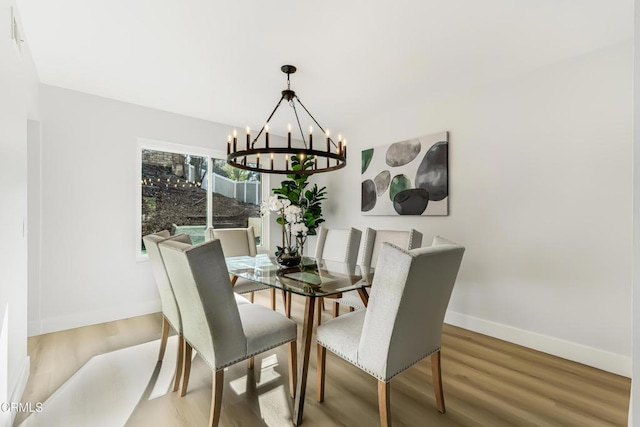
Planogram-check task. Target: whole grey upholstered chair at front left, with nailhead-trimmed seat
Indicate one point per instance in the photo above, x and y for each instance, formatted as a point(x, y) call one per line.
point(222, 333)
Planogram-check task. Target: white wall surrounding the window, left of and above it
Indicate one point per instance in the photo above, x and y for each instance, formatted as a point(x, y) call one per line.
point(89, 271)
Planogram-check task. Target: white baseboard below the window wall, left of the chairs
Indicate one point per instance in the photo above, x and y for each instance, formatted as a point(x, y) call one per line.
point(77, 320)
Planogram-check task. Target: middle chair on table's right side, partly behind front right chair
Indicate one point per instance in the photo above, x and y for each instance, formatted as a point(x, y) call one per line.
point(373, 240)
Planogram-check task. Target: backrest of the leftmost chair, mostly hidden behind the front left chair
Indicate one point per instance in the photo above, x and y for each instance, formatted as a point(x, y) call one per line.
point(167, 296)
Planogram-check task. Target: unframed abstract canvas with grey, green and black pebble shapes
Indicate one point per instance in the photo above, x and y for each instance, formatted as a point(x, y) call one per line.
point(407, 177)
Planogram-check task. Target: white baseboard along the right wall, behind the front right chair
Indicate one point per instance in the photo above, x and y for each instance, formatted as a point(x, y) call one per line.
point(590, 356)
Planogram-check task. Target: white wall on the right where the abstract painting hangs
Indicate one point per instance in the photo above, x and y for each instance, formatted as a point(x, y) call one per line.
point(540, 185)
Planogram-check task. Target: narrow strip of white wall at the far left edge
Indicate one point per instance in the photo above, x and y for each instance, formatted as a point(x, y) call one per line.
point(18, 90)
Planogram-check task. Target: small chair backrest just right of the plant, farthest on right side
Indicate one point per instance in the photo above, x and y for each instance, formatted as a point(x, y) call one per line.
point(340, 245)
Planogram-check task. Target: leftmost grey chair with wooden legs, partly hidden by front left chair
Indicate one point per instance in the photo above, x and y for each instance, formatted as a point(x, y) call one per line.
point(170, 312)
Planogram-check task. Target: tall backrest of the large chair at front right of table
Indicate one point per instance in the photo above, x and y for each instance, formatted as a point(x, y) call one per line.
point(409, 298)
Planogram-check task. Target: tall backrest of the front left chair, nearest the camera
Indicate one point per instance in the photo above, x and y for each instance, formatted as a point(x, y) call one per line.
point(210, 318)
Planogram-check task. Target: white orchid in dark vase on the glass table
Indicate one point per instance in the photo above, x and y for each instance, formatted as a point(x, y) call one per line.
point(294, 229)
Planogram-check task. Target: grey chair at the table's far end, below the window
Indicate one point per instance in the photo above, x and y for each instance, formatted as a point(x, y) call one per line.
point(240, 242)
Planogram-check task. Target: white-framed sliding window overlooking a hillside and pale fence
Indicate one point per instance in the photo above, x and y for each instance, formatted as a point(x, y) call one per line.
point(175, 193)
